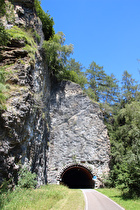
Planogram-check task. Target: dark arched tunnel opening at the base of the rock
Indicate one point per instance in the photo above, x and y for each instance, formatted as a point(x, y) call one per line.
point(77, 177)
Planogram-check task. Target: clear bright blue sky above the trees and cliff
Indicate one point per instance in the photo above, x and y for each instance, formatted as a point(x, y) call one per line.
point(104, 31)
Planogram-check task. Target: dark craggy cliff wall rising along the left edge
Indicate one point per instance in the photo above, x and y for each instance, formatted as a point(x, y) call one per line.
point(23, 126)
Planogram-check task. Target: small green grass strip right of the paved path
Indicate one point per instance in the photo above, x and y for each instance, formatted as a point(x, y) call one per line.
point(116, 195)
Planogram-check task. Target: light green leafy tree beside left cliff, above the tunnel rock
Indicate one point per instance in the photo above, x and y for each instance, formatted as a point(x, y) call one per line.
point(56, 54)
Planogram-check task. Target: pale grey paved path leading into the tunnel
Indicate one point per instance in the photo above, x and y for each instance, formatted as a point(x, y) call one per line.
point(97, 201)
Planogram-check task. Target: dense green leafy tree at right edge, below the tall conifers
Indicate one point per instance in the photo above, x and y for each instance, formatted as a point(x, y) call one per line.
point(125, 141)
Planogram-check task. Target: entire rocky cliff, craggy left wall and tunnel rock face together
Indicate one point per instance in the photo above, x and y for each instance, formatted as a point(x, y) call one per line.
point(45, 128)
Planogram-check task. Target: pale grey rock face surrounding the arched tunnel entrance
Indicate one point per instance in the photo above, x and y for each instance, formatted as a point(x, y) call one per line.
point(77, 132)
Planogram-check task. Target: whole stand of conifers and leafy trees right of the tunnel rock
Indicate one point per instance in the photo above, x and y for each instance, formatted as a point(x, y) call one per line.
point(121, 110)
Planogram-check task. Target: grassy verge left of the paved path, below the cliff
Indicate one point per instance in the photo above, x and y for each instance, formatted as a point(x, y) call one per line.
point(46, 197)
